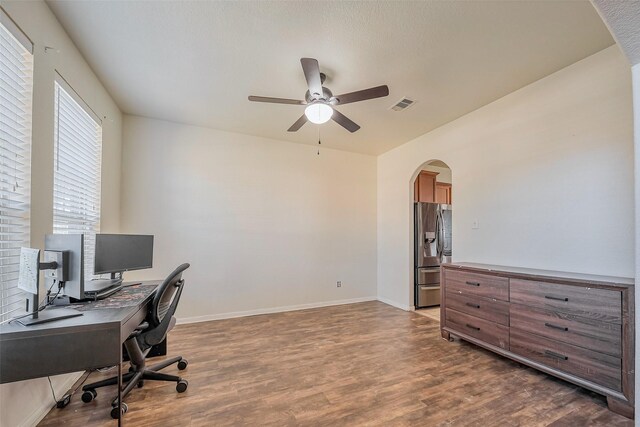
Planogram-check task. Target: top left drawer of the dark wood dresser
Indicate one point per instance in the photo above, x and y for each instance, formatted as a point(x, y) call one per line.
point(482, 285)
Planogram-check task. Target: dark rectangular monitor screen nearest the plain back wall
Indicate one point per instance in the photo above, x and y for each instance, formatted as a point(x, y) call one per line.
point(122, 252)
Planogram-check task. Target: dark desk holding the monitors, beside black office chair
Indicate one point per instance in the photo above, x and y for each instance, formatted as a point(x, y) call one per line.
point(93, 340)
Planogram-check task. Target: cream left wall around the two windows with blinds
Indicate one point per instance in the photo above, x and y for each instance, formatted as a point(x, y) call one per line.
point(25, 403)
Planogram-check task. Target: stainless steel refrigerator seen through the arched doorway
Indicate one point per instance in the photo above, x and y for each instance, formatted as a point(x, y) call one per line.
point(432, 248)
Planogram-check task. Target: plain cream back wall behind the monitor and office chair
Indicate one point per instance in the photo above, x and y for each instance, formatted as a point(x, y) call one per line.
point(266, 225)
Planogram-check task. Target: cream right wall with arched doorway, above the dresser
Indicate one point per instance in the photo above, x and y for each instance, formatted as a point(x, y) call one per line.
point(547, 171)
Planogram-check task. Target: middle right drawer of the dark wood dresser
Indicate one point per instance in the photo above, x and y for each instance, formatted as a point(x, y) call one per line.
point(580, 331)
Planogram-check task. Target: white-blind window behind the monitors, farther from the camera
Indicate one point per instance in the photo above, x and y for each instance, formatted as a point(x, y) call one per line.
point(76, 170)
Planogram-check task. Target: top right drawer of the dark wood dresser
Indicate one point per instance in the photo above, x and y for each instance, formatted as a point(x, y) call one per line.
point(599, 304)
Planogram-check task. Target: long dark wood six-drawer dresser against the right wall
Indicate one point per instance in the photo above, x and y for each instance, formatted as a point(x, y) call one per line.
point(577, 327)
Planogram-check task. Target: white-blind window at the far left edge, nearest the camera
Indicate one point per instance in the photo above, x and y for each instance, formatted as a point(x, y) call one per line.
point(16, 85)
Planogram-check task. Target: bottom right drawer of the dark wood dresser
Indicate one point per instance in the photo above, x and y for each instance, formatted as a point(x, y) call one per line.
point(596, 367)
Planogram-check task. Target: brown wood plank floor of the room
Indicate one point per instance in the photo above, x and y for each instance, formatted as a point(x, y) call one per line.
point(361, 364)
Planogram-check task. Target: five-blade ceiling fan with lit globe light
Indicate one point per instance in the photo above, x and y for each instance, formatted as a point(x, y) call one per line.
point(320, 101)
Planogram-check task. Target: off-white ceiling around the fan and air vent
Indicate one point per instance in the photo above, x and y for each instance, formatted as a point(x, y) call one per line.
point(196, 62)
